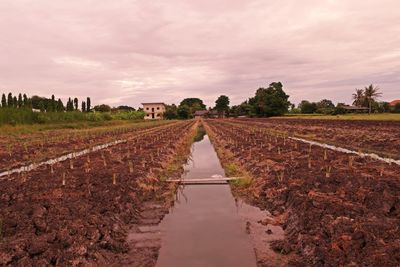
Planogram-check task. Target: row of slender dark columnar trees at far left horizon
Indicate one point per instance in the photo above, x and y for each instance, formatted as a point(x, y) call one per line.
point(44, 104)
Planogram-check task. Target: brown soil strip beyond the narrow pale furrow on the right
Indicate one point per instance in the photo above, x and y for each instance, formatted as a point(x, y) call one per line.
point(380, 137)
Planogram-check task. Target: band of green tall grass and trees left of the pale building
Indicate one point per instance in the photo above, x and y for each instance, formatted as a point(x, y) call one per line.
point(23, 110)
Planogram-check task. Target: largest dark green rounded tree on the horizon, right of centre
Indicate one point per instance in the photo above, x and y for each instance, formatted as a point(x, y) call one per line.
point(270, 101)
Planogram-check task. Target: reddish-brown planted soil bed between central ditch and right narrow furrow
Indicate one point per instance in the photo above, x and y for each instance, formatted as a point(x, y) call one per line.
point(336, 209)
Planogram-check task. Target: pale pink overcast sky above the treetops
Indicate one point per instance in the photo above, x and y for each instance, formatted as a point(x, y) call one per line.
point(125, 52)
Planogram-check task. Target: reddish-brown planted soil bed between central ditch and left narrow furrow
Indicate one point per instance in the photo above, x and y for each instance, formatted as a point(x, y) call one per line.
point(80, 212)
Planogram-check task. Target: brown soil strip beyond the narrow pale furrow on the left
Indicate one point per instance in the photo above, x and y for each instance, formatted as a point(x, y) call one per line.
point(30, 148)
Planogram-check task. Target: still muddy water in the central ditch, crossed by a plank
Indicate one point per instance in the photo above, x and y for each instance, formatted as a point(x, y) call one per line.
point(204, 228)
